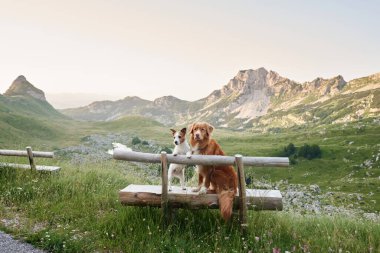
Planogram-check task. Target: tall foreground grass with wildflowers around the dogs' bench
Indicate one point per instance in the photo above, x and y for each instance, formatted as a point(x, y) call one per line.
point(77, 210)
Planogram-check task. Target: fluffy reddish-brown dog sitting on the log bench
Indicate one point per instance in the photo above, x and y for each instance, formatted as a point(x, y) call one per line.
point(220, 179)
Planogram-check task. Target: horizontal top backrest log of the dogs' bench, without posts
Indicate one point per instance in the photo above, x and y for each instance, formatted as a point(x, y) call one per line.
point(122, 154)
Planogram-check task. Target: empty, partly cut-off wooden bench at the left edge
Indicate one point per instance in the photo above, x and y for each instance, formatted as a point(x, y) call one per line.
point(31, 155)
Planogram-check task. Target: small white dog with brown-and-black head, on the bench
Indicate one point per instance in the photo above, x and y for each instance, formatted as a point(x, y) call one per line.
point(181, 148)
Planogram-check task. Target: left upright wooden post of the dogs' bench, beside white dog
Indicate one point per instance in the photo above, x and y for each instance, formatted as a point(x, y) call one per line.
point(164, 191)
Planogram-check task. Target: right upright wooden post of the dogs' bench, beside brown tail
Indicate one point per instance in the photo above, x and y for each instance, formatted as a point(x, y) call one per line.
point(242, 193)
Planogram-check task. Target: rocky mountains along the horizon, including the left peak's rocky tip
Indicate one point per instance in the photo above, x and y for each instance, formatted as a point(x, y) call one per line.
point(252, 99)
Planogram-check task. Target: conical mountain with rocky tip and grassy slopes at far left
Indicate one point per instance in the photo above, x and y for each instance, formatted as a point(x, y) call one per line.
point(25, 113)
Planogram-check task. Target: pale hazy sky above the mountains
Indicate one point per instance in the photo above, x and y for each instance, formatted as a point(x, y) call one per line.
point(187, 49)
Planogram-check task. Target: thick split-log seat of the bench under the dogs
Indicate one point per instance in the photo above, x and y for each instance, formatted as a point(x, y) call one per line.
point(150, 195)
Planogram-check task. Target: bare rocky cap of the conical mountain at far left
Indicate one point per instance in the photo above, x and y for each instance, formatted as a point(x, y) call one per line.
point(21, 87)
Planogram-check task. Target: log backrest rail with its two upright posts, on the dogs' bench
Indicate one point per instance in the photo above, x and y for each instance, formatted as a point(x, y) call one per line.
point(238, 160)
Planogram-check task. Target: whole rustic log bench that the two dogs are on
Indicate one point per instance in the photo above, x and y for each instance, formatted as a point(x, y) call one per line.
point(158, 195)
